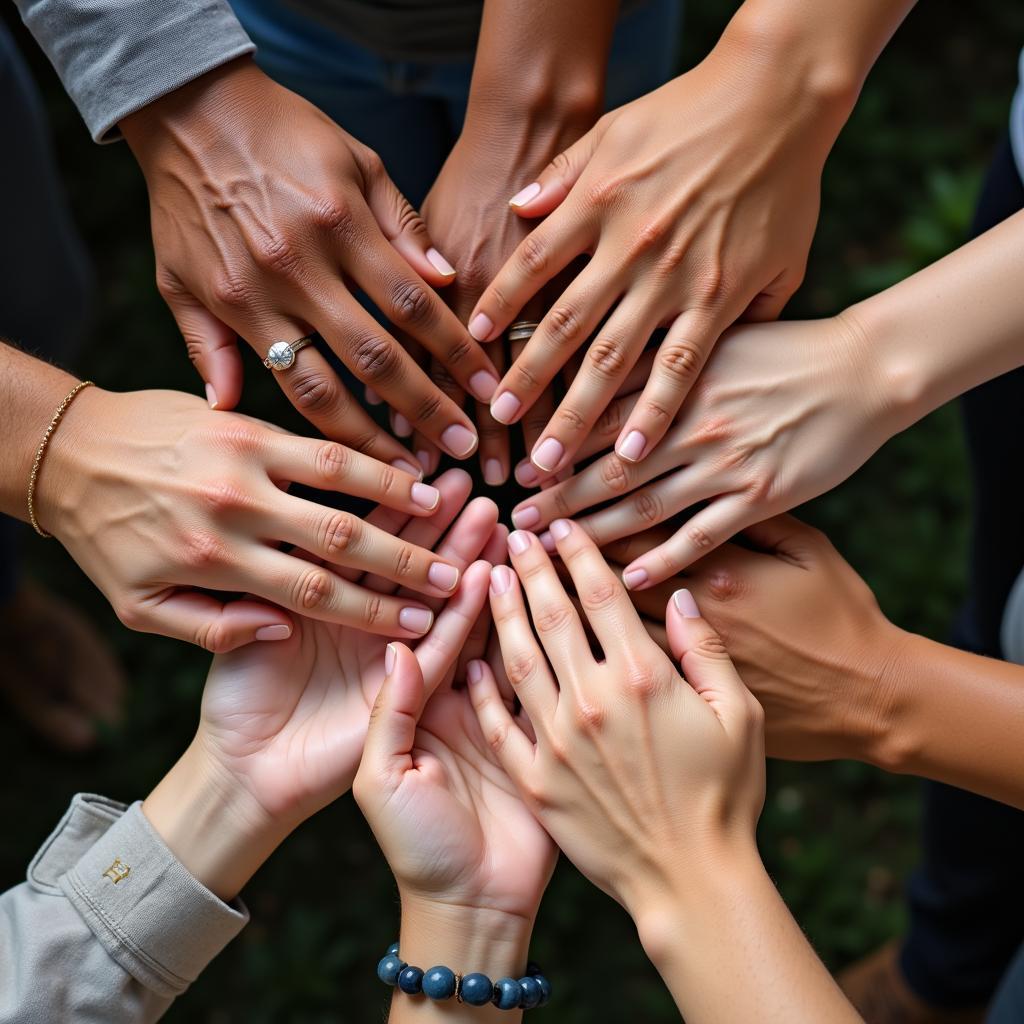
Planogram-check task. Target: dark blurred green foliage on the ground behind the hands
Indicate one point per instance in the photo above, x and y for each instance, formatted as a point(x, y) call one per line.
point(839, 838)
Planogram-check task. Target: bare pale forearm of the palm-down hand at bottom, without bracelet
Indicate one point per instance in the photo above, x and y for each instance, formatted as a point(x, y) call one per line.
point(728, 912)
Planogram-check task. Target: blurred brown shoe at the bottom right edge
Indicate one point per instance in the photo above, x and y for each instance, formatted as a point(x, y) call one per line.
point(880, 993)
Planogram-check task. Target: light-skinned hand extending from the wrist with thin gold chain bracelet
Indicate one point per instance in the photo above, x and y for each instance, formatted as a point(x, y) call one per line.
point(161, 500)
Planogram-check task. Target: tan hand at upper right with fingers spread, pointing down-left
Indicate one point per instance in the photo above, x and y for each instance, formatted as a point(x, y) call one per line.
point(694, 214)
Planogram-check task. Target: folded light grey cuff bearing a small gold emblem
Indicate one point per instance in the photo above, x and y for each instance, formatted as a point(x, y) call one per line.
point(152, 917)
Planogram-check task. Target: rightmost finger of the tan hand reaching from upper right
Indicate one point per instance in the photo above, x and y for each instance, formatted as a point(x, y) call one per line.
point(680, 359)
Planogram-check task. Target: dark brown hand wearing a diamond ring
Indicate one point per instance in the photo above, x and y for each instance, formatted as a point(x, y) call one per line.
point(267, 217)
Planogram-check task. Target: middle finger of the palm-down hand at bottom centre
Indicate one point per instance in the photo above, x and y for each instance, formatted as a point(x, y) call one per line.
point(556, 621)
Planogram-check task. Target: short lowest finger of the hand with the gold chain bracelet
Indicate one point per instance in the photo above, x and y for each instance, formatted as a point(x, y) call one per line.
point(216, 626)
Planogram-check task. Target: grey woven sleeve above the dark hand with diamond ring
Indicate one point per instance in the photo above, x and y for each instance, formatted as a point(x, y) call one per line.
point(115, 57)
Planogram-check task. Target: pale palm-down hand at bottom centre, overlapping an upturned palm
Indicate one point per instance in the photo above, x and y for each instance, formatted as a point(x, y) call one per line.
point(638, 775)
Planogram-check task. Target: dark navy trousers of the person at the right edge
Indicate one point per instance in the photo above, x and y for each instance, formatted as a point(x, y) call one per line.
point(967, 899)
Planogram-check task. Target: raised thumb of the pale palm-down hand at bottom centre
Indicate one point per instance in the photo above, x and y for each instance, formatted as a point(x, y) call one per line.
point(706, 663)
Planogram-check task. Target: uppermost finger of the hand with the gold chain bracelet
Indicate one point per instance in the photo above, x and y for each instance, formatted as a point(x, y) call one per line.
point(330, 466)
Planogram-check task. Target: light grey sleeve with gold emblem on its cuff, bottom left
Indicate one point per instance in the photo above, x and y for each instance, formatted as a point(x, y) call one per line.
point(110, 927)
